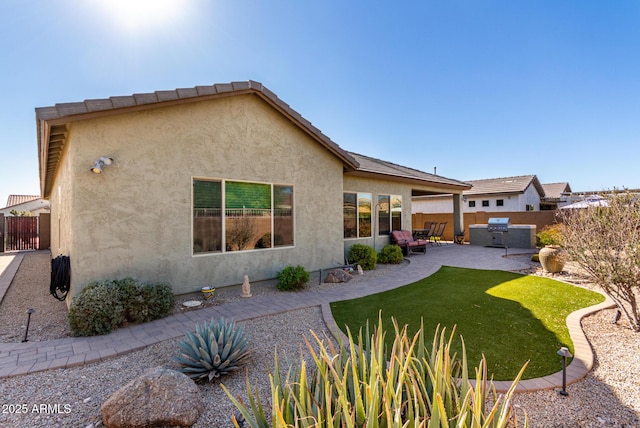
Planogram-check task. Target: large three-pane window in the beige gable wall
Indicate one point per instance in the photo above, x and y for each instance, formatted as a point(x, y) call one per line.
point(255, 215)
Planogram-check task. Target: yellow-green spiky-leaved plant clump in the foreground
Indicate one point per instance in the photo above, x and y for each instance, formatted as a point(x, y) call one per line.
point(364, 383)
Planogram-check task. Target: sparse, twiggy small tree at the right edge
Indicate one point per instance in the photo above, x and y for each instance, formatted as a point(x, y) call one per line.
point(604, 239)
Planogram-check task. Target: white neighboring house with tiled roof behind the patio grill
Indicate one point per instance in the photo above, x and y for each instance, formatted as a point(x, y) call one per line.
point(508, 194)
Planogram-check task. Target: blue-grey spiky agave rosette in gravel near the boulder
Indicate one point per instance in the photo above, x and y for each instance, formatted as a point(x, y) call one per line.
point(215, 349)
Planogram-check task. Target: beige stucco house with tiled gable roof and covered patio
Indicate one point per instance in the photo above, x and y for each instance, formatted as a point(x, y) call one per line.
point(202, 186)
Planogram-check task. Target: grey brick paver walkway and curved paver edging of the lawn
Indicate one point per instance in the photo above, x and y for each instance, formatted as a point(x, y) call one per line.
point(23, 358)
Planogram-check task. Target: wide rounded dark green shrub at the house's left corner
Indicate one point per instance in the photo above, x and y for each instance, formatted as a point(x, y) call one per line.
point(106, 305)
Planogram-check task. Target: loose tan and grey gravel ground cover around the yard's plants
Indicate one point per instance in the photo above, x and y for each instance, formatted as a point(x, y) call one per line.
point(608, 397)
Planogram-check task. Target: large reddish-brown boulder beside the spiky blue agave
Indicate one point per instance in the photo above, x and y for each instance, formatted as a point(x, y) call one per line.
point(160, 397)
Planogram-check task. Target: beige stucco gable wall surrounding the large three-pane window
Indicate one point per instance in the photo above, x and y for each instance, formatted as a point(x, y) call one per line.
point(135, 219)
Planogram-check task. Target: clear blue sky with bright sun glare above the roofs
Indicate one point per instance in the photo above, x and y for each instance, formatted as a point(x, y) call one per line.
point(478, 89)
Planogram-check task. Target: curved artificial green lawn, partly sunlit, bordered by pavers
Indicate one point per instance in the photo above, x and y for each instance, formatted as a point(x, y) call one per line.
point(509, 317)
